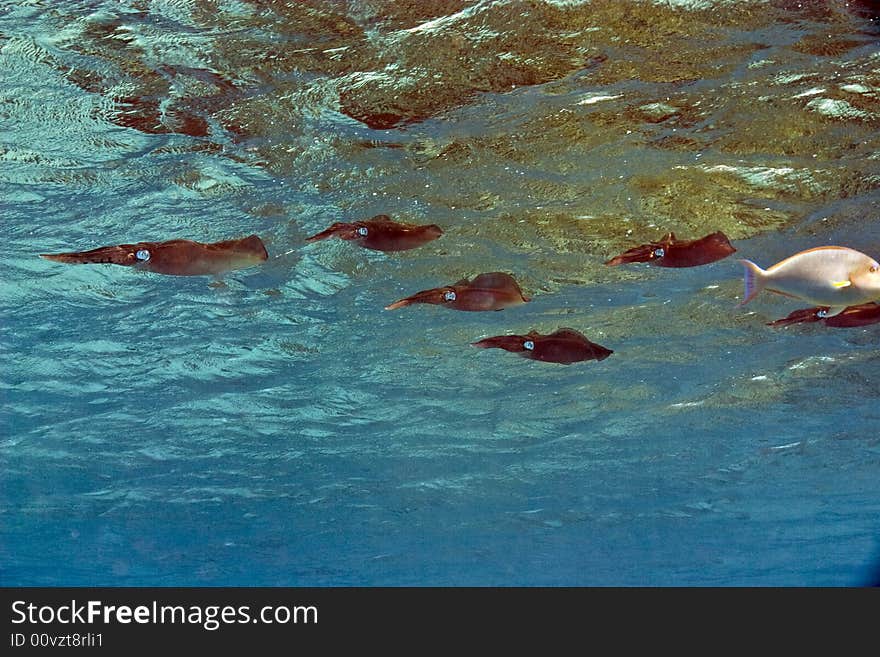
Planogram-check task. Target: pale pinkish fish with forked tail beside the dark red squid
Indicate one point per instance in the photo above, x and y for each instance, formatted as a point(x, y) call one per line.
point(832, 276)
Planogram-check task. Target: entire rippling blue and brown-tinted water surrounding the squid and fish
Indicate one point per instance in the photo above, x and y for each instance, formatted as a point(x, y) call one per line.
point(283, 429)
